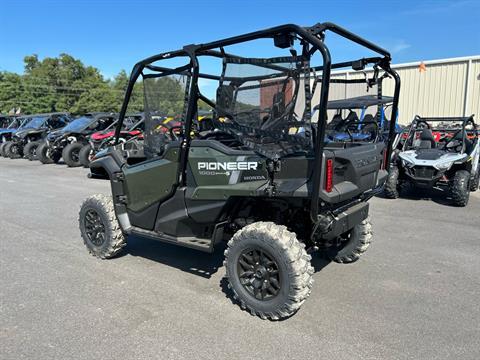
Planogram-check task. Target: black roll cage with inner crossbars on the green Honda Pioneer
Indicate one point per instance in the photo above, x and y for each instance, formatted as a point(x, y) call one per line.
point(313, 41)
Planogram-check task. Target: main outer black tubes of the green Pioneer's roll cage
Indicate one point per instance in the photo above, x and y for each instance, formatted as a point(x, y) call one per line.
point(314, 36)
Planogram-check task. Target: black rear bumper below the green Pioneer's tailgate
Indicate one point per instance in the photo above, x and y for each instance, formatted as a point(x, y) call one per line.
point(333, 225)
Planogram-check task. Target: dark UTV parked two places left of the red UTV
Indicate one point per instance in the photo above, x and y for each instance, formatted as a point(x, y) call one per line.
point(25, 141)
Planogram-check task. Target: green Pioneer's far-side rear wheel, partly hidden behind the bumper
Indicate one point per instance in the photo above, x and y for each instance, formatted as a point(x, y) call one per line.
point(352, 244)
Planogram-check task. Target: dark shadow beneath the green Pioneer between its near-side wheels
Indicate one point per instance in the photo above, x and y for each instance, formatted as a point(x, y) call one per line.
point(185, 259)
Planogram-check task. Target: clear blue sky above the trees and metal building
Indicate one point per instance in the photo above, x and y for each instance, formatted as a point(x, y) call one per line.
point(114, 35)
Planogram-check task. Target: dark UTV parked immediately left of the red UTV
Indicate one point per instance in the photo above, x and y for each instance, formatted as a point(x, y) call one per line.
point(67, 142)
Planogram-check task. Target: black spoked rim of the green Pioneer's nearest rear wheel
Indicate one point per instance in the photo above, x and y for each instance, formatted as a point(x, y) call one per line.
point(259, 274)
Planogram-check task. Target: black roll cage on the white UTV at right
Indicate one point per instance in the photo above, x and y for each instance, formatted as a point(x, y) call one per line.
point(450, 126)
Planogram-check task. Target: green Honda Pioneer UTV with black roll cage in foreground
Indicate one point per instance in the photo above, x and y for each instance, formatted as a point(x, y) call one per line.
point(260, 173)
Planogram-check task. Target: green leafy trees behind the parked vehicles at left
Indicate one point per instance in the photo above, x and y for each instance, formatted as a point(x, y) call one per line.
point(66, 84)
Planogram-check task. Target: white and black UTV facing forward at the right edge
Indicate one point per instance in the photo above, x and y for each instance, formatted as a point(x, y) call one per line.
point(437, 152)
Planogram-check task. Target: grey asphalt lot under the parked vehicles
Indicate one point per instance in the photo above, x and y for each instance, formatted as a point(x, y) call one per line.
point(413, 295)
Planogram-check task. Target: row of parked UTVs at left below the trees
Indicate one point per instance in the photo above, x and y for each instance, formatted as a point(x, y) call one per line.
point(55, 136)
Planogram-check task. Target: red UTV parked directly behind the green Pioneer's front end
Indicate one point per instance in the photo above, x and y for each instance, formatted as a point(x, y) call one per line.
point(133, 127)
